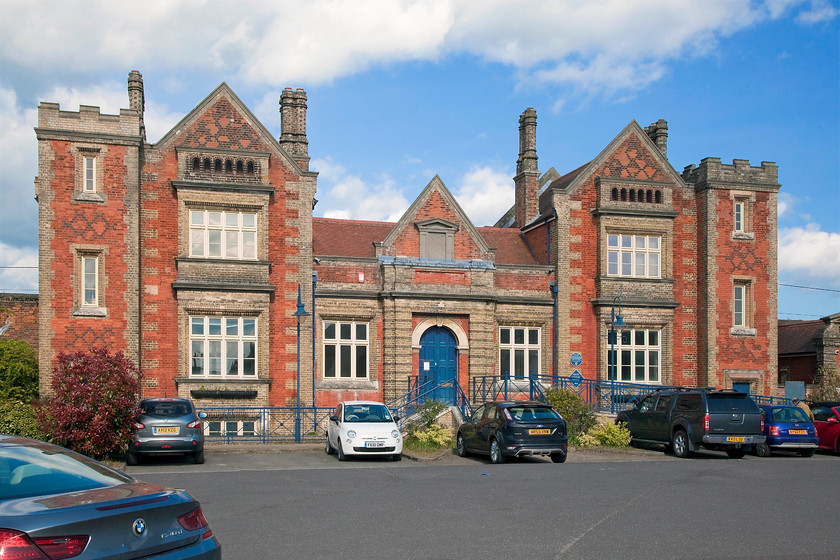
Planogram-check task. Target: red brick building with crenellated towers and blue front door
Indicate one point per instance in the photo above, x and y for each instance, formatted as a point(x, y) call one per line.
point(188, 255)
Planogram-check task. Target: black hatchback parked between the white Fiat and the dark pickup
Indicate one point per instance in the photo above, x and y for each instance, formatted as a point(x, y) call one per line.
point(514, 429)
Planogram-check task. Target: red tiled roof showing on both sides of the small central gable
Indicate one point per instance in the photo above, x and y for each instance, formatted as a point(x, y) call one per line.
point(354, 238)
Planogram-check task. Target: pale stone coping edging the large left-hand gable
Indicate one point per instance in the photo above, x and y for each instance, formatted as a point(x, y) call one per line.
point(224, 92)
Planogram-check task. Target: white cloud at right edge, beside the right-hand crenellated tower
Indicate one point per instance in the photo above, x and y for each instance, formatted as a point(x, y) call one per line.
point(810, 254)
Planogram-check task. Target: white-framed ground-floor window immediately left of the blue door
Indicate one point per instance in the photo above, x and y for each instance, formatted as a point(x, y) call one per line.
point(345, 350)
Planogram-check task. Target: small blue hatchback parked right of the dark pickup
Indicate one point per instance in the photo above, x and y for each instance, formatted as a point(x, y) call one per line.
point(787, 429)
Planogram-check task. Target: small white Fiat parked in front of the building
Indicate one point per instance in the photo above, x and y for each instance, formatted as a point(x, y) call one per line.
point(363, 428)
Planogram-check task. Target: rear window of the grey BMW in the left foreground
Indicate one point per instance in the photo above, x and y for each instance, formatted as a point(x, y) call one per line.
point(27, 471)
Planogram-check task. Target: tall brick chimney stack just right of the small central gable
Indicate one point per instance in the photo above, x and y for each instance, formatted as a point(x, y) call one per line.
point(527, 179)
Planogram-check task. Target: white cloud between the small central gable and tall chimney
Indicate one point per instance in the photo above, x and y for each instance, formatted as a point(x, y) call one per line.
point(485, 194)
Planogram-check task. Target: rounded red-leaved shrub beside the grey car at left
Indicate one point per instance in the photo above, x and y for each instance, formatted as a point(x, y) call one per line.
point(94, 402)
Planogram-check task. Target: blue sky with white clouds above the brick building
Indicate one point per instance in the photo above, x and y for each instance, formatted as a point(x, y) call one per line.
point(399, 91)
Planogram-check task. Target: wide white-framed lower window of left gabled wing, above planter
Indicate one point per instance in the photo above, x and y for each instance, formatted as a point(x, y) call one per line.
point(223, 346)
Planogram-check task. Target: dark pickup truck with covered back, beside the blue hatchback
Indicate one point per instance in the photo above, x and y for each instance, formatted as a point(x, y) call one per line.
point(685, 419)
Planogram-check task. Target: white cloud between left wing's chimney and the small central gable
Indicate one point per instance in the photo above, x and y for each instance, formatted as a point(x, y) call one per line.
point(349, 196)
